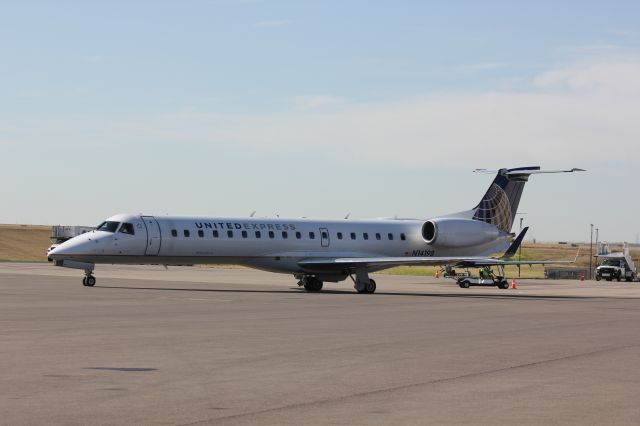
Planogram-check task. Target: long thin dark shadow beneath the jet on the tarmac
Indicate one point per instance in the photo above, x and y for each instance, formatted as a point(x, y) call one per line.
point(295, 290)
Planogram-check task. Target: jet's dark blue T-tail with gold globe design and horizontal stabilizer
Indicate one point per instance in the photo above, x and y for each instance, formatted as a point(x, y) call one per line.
point(500, 204)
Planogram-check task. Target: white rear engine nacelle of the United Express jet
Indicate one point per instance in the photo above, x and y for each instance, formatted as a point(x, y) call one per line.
point(458, 232)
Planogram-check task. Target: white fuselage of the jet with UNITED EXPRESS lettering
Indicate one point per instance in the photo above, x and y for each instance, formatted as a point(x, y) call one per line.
point(275, 244)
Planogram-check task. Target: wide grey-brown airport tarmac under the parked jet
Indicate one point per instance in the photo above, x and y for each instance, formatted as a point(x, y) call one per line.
point(236, 347)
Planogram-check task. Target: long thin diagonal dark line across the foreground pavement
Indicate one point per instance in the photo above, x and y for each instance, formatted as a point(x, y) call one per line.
point(409, 386)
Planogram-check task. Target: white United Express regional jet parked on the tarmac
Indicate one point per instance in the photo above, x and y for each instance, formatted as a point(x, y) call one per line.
point(314, 251)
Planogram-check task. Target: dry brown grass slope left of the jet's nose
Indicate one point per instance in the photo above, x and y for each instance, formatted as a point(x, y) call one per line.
point(25, 243)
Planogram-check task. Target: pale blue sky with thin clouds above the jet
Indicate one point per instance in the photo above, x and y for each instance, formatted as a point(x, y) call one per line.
point(318, 109)
